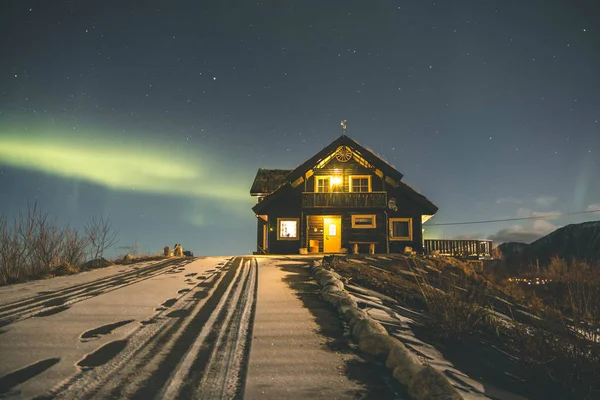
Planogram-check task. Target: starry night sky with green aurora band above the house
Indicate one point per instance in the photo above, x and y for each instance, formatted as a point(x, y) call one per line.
point(159, 113)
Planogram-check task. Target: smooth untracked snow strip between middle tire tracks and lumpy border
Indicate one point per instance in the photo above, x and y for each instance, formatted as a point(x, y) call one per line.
point(299, 350)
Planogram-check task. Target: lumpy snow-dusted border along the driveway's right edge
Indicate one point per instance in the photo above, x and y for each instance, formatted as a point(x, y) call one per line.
point(423, 381)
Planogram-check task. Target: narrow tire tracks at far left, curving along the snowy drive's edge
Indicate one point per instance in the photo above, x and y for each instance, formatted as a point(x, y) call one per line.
point(57, 301)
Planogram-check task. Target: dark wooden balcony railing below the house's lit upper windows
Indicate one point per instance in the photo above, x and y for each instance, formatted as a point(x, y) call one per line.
point(344, 199)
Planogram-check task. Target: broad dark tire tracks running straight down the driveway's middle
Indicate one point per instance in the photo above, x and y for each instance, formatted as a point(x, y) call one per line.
point(204, 351)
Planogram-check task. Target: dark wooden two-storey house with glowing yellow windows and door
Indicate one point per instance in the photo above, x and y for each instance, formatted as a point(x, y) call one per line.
point(345, 198)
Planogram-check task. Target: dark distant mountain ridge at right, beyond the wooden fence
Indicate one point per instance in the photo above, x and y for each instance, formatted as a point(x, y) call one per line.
point(579, 241)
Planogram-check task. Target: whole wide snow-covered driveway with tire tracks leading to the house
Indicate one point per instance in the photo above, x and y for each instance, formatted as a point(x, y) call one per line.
point(209, 328)
